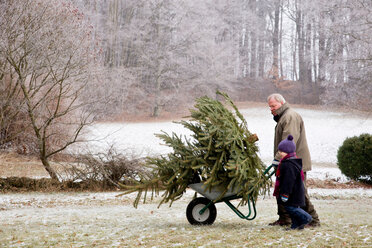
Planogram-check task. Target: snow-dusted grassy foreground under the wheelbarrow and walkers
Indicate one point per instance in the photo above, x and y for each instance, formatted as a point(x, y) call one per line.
point(104, 220)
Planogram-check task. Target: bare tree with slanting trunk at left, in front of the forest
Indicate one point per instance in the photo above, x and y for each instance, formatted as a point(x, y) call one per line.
point(49, 52)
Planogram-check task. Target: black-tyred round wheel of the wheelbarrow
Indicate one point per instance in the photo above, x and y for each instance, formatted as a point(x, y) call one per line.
point(193, 212)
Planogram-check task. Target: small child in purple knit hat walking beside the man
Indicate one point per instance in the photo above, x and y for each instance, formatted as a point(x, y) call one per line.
point(289, 187)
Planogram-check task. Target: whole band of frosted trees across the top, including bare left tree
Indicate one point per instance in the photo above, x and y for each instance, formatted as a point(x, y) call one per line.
point(65, 64)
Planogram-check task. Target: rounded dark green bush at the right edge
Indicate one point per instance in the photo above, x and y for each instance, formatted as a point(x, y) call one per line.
point(355, 158)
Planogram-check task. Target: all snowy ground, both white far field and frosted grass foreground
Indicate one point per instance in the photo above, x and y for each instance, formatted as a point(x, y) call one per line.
point(105, 220)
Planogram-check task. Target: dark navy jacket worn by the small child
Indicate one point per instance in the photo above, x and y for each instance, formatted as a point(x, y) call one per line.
point(291, 183)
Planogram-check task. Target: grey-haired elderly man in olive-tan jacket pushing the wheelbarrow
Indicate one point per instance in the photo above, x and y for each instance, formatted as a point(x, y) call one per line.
point(290, 122)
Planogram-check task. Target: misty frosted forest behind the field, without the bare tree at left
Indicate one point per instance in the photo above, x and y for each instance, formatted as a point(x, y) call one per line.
point(160, 55)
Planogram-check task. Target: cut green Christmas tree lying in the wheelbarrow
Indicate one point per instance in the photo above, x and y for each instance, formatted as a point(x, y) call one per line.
point(221, 152)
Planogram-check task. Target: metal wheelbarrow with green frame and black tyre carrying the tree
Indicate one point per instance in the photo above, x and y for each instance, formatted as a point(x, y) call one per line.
point(202, 210)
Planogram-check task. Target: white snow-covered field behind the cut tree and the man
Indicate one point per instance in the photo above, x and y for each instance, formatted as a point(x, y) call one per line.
point(326, 130)
